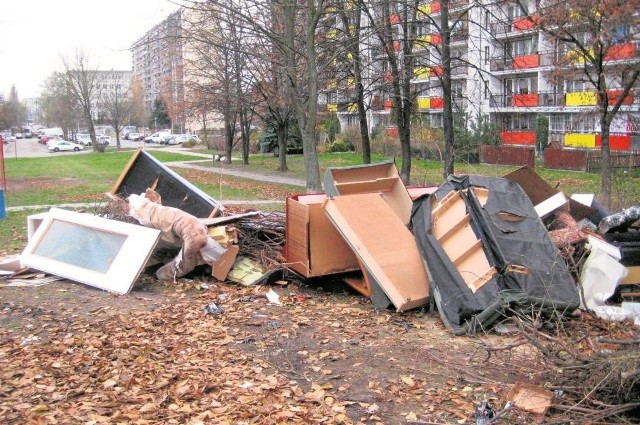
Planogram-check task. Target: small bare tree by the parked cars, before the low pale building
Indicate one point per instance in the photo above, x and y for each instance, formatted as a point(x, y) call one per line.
point(83, 82)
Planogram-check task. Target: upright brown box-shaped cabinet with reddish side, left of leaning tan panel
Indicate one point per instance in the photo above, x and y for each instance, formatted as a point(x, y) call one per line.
point(314, 247)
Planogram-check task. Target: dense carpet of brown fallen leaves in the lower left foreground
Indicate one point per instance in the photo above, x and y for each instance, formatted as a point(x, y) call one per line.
point(170, 365)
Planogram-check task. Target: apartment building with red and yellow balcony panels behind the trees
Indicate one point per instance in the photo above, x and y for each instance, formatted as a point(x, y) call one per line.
point(503, 71)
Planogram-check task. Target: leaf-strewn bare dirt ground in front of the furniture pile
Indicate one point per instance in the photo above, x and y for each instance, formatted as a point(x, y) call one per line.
point(346, 361)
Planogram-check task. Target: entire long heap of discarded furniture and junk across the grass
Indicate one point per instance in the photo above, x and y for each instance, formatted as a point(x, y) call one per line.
point(475, 248)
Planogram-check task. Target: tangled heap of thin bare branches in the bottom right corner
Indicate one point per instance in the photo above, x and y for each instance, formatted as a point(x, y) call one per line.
point(592, 366)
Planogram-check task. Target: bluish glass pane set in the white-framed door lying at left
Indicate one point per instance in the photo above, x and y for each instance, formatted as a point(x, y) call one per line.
point(80, 246)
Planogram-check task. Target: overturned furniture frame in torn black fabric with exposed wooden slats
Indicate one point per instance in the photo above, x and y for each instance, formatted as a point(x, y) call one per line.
point(528, 268)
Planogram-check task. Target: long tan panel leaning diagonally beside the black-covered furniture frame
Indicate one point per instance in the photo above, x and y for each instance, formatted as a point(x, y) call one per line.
point(384, 245)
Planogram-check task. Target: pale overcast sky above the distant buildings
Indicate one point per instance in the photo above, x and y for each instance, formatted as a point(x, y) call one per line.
point(36, 34)
